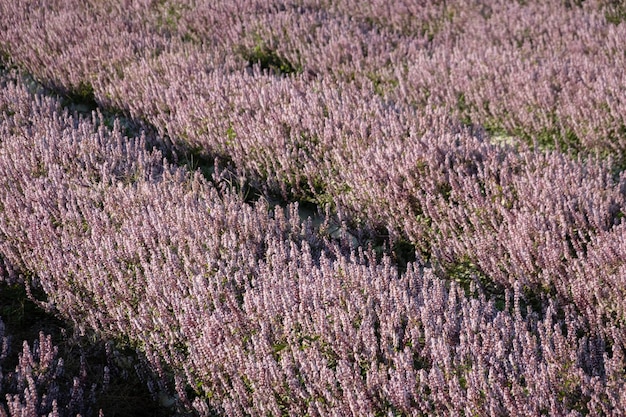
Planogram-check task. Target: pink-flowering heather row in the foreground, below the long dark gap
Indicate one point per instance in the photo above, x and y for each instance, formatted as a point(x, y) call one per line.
point(251, 312)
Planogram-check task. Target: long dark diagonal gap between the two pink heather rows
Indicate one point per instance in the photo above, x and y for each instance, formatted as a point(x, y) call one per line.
point(81, 102)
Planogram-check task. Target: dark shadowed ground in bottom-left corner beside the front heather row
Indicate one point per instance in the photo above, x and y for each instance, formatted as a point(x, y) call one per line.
point(107, 372)
